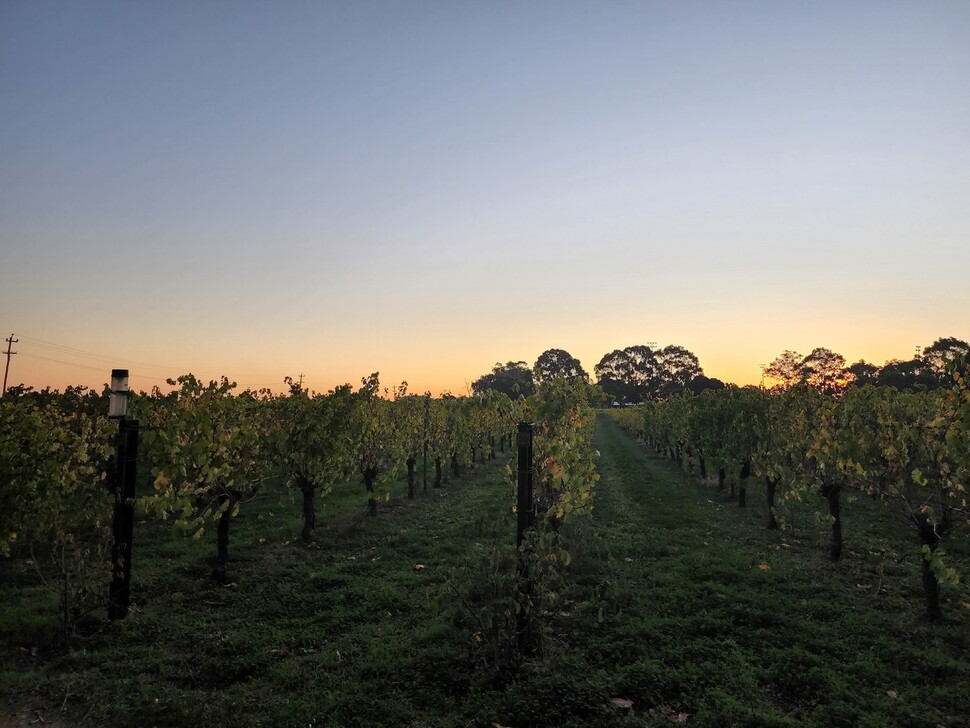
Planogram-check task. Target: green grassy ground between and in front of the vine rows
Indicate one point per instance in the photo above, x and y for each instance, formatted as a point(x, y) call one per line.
point(677, 601)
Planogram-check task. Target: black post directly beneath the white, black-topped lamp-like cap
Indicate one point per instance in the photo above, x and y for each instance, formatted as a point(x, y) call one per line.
point(119, 593)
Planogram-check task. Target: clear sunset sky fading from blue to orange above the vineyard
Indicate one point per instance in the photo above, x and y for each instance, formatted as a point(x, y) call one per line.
point(424, 189)
